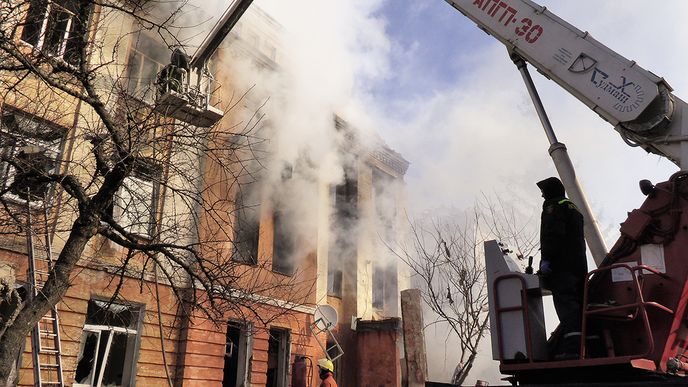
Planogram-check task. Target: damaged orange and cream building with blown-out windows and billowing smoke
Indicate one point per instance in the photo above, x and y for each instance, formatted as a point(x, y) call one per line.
point(230, 297)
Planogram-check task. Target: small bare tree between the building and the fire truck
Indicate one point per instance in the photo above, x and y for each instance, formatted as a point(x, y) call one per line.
point(446, 259)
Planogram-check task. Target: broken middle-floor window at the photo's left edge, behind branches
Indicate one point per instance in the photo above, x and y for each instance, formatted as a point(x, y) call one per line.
point(30, 150)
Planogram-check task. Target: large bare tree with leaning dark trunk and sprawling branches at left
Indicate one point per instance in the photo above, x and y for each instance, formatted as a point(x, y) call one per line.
point(89, 160)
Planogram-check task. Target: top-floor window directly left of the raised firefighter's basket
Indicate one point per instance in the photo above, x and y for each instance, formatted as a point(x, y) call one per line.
point(146, 58)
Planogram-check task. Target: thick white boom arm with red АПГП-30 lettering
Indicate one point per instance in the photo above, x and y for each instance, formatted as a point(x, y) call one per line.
point(638, 103)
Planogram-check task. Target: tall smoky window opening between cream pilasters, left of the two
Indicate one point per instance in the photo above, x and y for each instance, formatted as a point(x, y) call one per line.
point(343, 239)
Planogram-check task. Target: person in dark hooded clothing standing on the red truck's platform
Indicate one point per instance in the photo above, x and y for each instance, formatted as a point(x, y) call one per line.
point(563, 264)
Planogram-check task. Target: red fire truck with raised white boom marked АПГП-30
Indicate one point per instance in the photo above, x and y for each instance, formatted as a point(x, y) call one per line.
point(634, 322)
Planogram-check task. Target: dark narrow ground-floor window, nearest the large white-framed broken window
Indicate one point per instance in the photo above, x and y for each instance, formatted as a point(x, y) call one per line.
point(237, 355)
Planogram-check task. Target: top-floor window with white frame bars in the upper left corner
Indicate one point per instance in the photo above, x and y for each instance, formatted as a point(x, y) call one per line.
point(51, 26)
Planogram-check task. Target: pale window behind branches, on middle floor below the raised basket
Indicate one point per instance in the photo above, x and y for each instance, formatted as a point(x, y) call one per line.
point(136, 200)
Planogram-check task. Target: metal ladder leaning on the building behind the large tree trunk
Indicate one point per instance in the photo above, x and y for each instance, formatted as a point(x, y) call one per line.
point(45, 336)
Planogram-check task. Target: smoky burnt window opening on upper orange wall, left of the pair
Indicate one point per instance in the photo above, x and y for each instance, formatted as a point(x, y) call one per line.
point(246, 225)
